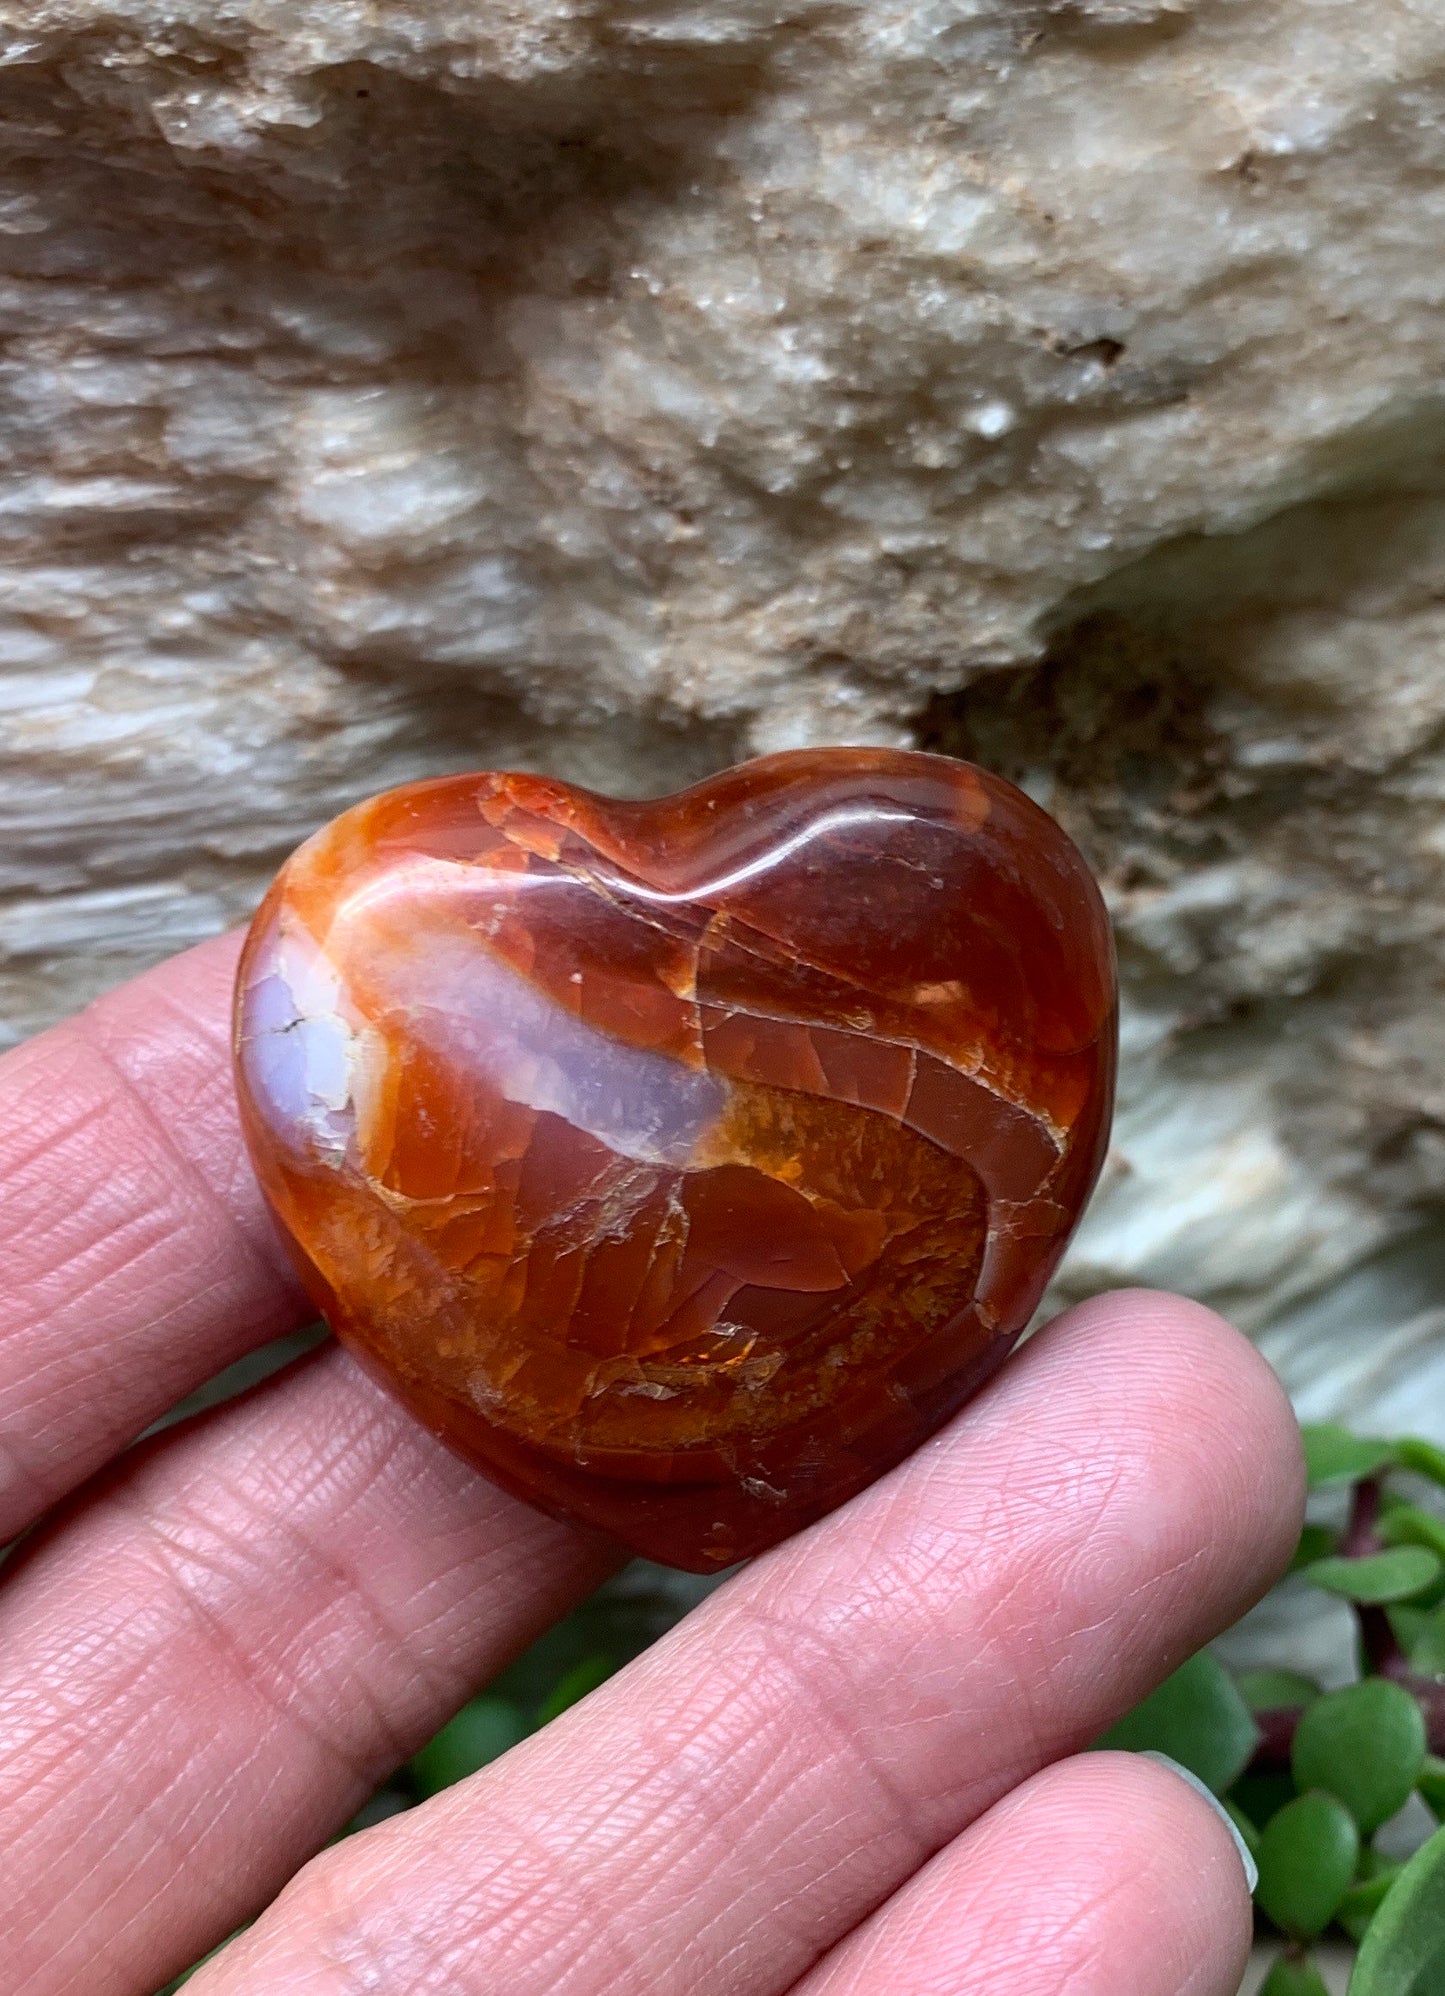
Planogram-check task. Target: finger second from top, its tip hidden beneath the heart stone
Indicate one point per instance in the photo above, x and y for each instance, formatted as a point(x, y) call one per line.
point(221, 1654)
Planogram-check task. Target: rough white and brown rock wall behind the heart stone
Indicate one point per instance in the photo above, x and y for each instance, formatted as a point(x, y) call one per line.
point(620, 386)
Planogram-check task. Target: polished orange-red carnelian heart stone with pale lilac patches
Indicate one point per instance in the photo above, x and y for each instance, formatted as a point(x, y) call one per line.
point(684, 1165)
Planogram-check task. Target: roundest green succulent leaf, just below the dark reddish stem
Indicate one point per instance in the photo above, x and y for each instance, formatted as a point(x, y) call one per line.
point(1364, 1746)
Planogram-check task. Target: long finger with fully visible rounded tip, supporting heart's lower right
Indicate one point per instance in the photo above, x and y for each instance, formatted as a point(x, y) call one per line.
point(743, 1795)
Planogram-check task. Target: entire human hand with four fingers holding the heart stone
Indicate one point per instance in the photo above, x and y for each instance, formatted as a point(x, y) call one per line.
point(851, 1773)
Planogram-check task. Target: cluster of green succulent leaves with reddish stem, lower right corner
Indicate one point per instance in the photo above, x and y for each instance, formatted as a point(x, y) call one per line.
point(1356, 1755)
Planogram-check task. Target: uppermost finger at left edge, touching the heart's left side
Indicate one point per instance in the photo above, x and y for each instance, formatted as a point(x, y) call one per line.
point(137, 1258)
